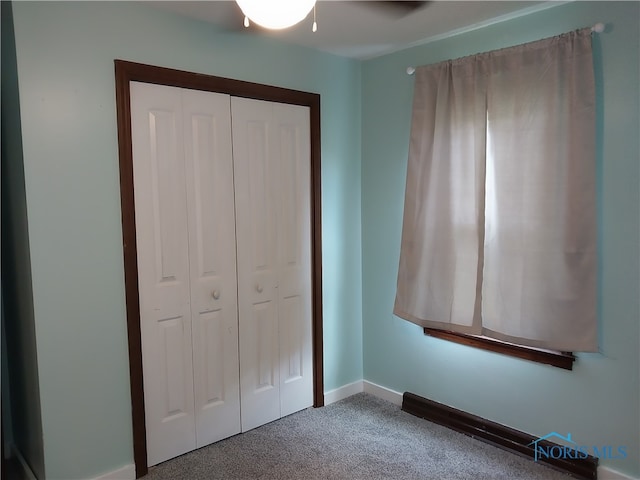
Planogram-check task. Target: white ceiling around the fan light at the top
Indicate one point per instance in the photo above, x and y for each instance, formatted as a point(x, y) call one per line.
point(354, 29)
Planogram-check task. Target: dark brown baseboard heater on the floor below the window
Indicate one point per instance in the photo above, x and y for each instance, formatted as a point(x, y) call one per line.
point(498, 435)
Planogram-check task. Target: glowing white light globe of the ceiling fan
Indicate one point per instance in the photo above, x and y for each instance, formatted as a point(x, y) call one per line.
point(276, 14)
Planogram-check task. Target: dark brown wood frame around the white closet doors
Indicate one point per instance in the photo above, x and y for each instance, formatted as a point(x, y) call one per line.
point(126, 72)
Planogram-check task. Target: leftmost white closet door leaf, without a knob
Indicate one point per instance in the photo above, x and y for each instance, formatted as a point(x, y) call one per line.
point(163, 269)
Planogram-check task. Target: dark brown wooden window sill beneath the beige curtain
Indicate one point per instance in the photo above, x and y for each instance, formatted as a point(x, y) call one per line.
point(557, 359)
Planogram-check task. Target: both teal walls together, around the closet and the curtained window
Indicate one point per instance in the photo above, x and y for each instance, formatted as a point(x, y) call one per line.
point(65, 55)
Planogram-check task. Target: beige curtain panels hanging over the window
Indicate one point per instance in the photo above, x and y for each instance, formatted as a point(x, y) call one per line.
point(499, 232)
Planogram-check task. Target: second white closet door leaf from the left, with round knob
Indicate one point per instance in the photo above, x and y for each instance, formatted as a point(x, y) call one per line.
point(212, 247)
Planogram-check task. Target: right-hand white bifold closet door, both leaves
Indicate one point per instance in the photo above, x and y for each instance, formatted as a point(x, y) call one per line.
point(272, 184)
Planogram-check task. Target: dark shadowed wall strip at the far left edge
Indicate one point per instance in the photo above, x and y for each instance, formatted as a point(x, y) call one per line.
point(20, 388)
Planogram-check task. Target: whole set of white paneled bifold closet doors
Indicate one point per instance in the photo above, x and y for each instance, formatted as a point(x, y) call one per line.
point(226, 345)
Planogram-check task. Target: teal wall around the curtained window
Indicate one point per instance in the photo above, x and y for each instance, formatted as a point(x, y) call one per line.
point(598, 401)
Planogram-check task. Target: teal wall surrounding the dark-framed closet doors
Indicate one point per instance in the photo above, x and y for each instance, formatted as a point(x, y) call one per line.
point(65, 54)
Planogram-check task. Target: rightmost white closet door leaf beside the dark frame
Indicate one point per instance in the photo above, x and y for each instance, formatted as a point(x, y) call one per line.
point(294, 257)
